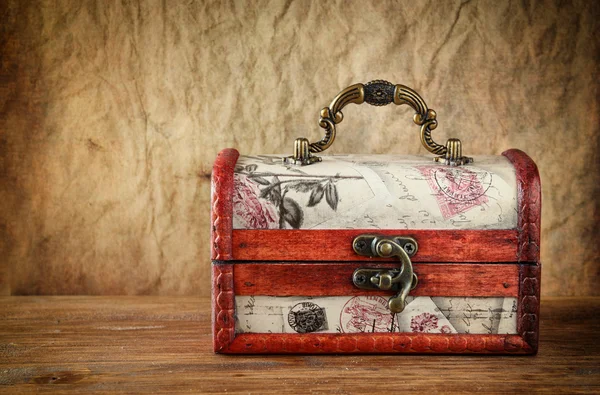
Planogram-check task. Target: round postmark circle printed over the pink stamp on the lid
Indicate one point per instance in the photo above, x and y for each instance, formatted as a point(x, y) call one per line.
point(463, 185)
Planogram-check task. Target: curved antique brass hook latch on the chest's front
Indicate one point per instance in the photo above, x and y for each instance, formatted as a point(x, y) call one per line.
point(402, 280)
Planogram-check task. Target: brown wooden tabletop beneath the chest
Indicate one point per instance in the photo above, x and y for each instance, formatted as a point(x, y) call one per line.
point(163, 344)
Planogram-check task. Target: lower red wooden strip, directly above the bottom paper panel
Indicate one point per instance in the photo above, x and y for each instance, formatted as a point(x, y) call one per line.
point(335, 279)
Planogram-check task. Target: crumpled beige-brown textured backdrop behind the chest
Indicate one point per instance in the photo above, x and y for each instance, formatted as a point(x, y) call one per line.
point(112, 113)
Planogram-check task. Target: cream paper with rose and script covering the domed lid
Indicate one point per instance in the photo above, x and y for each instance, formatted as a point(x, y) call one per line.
point(374, 192)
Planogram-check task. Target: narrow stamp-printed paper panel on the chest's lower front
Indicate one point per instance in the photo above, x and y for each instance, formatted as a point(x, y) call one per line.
point(357, 314)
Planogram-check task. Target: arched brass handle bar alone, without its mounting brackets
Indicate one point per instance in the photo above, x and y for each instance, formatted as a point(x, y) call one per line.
point(378, 93)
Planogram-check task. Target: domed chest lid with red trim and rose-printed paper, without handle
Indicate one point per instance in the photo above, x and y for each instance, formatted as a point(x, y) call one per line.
point(264, 210)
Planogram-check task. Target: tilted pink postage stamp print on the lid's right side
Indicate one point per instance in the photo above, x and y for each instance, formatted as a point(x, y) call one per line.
point(457, 190)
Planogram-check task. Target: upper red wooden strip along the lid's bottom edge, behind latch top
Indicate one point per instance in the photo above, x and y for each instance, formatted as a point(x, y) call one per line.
point(336, 245)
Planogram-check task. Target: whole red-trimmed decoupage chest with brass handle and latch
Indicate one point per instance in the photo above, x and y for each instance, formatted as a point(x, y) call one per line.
point(375, 253)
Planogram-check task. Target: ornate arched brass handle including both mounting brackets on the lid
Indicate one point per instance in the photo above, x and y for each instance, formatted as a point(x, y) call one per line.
point(378, 93)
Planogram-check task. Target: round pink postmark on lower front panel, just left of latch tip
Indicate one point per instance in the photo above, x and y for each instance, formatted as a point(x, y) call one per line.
point(366, 314)
